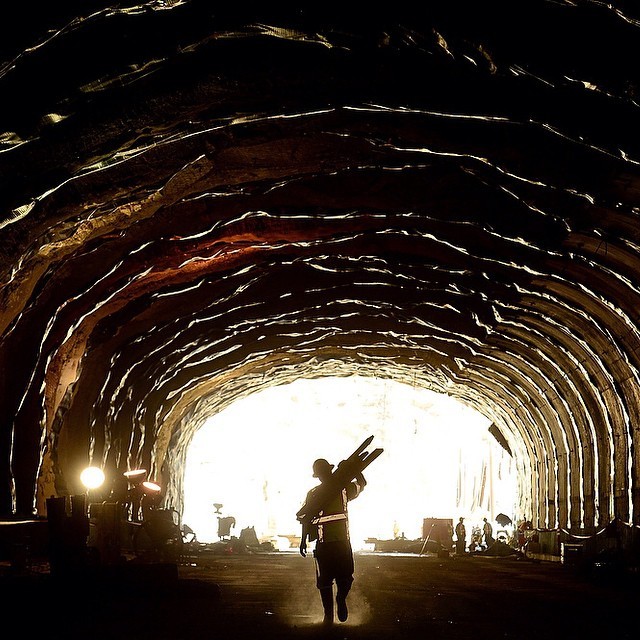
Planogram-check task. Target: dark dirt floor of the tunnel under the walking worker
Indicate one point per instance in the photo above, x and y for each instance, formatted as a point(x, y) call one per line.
point(272, 595)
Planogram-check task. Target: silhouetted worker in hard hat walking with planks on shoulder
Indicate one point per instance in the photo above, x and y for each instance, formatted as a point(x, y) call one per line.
point(329, 527)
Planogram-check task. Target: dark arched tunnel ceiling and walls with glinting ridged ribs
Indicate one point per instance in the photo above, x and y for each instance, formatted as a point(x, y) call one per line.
point(199, 202)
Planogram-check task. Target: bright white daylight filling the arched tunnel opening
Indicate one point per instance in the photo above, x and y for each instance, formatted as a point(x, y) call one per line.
point(250, 465)
